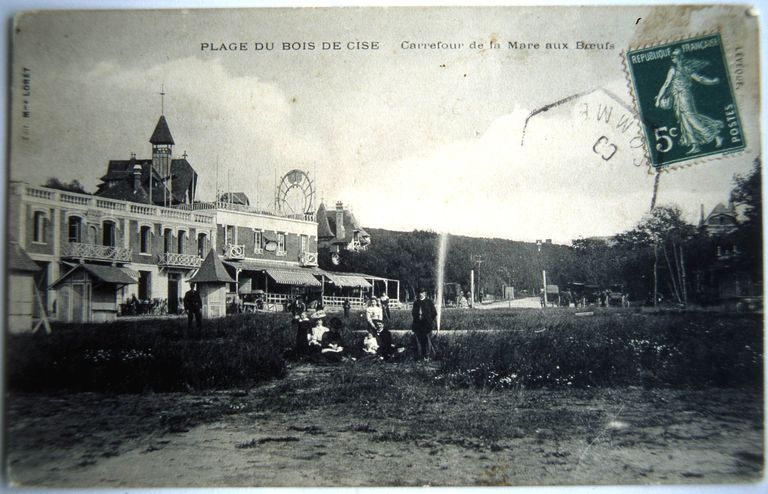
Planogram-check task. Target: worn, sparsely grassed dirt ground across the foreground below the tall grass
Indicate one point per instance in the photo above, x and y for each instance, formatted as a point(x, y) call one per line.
point(269, 436)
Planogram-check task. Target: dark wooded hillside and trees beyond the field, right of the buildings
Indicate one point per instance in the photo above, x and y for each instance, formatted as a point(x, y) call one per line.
point(662, 250)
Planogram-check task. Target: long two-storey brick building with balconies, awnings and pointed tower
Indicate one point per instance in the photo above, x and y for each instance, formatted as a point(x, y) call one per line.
point(145, 221)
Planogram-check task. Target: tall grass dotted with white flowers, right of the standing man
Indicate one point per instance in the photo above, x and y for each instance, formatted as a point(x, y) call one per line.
point(611, 348)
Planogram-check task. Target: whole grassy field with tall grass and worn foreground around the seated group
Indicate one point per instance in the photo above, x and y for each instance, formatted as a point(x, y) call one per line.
point(512, 397)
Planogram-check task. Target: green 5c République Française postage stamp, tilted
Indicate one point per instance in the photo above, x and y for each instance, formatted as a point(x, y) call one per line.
point(685, 100)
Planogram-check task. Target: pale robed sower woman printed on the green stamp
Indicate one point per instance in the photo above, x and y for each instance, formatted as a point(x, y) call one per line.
point(696, 128)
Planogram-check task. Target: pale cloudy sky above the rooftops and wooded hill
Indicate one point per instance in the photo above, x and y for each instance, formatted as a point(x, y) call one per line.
point(439, 139)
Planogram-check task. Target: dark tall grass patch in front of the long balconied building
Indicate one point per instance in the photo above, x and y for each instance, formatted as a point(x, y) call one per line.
point(157, 355)
